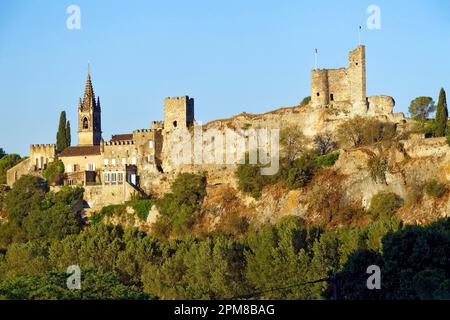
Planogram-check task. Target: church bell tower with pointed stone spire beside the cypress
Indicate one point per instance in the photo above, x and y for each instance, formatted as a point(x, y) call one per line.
point(89, 117)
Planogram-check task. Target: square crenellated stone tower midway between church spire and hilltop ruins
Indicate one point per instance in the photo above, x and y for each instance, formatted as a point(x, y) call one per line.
point(178, 112)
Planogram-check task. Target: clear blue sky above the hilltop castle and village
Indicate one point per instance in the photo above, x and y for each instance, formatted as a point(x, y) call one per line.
point(231, 56)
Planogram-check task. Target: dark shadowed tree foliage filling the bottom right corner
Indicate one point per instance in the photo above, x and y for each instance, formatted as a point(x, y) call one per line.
point(415, 264)
